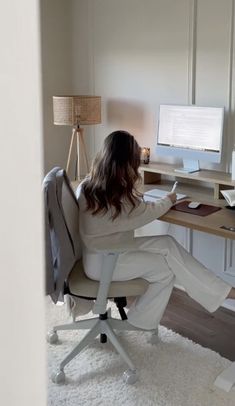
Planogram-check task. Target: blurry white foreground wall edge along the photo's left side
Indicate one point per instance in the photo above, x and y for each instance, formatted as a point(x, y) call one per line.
point(22, 353)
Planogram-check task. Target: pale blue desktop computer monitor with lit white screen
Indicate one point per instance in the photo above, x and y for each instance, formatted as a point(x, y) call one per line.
point(192, 133)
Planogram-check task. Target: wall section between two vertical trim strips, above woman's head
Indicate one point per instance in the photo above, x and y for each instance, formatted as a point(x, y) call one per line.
point(140, 57)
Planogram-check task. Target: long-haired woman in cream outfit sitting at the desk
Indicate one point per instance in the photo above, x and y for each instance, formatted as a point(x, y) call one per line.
point(111, 208)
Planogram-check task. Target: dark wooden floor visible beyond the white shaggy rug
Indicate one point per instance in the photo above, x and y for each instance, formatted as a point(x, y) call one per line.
point(188, 318)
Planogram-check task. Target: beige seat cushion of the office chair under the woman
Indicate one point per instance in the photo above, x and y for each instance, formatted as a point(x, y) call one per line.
point(81, 285)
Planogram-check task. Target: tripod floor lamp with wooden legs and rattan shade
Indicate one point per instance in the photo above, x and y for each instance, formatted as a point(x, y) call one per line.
point(75, 111)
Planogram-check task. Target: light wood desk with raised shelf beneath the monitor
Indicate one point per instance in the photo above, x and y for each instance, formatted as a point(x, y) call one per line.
point(203, 186)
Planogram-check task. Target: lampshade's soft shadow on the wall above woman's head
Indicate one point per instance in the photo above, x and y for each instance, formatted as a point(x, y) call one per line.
point(126, 114)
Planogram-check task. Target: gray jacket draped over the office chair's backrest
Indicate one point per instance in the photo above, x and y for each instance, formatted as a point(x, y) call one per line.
point(58, 266)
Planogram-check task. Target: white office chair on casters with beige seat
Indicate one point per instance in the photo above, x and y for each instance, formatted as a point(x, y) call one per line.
point(61, 205)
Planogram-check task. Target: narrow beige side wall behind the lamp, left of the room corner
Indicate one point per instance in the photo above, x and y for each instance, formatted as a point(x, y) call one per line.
point(57, 68)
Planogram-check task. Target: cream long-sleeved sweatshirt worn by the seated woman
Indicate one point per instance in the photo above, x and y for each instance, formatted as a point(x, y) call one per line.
point(100, 232)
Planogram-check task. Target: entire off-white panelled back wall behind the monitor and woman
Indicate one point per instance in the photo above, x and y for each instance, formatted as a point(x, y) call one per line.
point(143, 53)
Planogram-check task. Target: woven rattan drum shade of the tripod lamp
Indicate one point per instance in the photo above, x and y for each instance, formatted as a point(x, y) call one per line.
point(77, 110)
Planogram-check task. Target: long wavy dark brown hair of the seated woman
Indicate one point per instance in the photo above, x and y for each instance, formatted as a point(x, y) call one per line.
point(114, 175)
